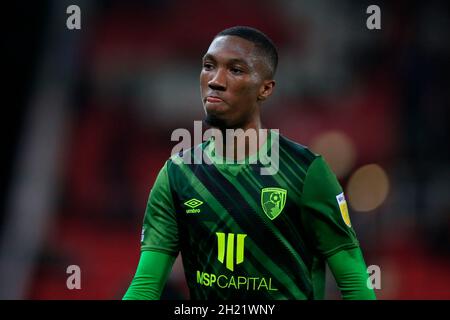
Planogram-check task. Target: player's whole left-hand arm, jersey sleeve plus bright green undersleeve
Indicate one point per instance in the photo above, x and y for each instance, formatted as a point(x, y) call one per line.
point(159, 243)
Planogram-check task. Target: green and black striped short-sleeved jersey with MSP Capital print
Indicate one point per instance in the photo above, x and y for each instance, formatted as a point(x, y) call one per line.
point(244, 235)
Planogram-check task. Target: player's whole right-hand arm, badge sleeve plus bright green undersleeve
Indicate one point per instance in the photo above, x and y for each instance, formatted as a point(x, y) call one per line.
point(327, 223)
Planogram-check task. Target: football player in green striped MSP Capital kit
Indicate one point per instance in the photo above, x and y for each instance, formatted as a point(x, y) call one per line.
point(243, 234)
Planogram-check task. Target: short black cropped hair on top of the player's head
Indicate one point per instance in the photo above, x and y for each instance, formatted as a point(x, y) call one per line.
point(261, 40)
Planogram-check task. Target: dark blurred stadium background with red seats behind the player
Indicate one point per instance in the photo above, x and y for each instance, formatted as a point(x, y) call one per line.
point(88, 115)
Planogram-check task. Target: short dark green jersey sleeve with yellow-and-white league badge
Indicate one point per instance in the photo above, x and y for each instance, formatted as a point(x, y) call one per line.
point(324, 212)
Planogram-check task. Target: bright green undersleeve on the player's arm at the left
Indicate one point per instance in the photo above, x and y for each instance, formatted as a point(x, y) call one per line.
point(151, 275)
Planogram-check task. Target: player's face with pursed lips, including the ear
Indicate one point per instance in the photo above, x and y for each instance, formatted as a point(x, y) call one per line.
point(232, 82)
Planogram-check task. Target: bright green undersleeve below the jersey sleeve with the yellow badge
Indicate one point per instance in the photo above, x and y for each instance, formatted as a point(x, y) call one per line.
point(350, 272)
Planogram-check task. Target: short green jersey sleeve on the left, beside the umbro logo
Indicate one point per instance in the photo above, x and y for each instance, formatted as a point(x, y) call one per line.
point(160, 229)
